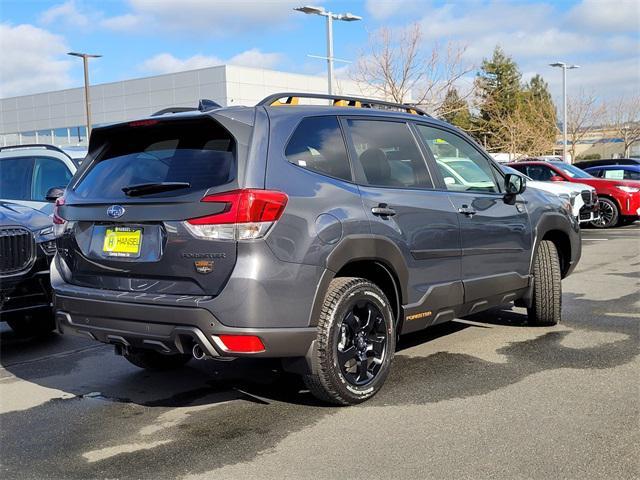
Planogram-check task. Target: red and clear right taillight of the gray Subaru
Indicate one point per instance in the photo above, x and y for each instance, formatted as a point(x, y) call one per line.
point(248, 214)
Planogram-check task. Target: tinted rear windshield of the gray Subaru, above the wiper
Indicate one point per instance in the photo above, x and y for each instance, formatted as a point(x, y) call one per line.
point(201, 153)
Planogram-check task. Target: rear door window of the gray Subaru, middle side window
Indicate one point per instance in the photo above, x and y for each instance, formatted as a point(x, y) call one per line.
point(388, 154)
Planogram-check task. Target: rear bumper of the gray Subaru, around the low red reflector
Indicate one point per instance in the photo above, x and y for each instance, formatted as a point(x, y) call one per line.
point(169, 329)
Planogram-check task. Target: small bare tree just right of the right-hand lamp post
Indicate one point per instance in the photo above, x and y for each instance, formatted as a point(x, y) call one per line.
point(584, 115)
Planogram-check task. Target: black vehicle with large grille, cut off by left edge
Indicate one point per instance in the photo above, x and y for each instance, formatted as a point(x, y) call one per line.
point(27, 246)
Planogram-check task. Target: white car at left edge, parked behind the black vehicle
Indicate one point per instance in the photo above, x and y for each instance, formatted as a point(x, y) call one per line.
point(30, 171)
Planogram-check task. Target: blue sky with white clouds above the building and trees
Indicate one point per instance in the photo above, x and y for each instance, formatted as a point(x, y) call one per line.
point(146, 37)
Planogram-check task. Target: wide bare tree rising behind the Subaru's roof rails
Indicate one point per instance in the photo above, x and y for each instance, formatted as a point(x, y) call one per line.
point(396, 66)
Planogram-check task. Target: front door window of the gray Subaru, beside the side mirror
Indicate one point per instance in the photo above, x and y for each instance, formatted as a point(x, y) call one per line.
point(462, 166)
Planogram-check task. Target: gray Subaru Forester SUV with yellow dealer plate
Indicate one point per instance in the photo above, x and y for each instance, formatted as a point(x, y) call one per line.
point(316, 233)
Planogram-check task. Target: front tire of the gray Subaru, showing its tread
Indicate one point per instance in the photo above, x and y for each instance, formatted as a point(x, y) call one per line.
point(546, 307)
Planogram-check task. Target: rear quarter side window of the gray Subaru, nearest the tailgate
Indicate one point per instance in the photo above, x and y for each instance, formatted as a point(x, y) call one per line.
point(317, 145)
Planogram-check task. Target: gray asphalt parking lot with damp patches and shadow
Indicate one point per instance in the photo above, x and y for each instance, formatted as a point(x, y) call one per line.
point(484, 397)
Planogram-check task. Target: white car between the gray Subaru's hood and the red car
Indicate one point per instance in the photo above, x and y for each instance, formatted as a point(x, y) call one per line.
point(583, 198)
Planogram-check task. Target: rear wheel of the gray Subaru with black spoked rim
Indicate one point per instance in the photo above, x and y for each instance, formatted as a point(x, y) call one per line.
point(352, 357)
